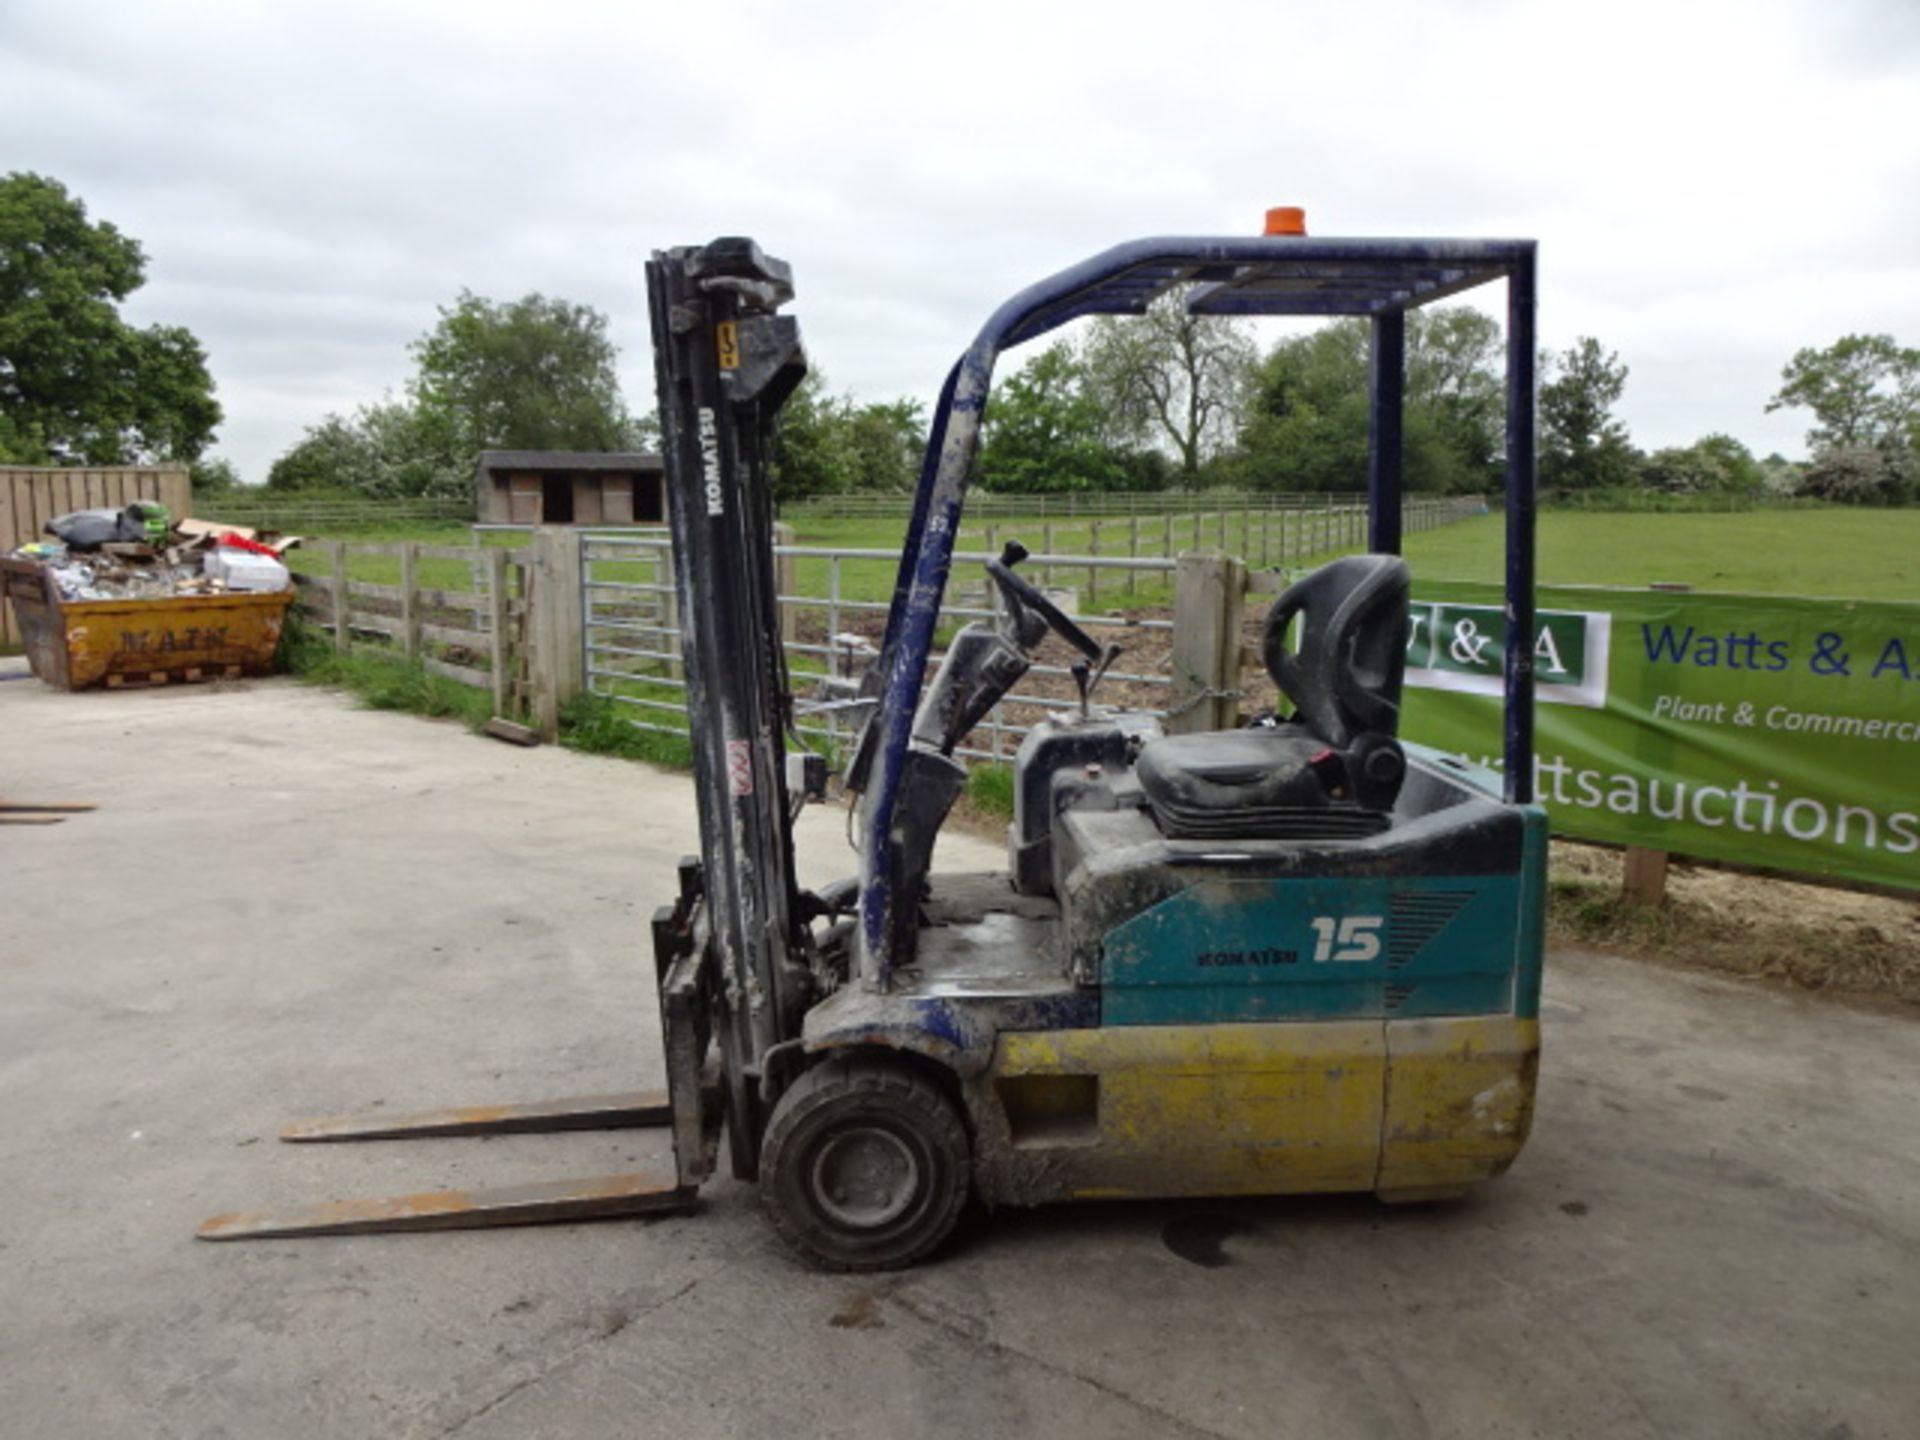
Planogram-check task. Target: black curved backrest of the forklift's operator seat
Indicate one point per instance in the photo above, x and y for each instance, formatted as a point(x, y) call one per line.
point(1347, 675)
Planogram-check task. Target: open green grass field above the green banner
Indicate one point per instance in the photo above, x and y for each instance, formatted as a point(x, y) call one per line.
point(1806, 552)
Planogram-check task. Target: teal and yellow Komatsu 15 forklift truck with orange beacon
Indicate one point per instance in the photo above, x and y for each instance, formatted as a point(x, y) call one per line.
point(1297, 957)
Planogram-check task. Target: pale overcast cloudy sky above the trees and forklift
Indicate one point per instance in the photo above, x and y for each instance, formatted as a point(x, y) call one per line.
point(1712, 183)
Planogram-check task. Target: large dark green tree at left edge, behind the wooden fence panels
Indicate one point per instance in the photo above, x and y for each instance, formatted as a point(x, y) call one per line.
point(80, 385)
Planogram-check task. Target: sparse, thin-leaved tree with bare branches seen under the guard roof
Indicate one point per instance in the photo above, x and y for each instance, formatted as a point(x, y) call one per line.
point(1172, 377)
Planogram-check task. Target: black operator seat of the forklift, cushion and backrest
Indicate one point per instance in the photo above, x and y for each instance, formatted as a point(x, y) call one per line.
point(1335, 769)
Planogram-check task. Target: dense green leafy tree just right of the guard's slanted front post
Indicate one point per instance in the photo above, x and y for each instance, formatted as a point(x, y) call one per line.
point(1045, 431)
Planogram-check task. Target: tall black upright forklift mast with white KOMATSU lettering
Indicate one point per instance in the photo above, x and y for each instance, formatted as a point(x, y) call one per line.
point(725, 366)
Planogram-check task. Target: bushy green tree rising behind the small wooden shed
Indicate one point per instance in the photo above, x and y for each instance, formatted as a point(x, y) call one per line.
point(533, 373)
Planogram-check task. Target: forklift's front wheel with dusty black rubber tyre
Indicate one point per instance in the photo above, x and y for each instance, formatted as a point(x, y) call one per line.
point(876, 1122)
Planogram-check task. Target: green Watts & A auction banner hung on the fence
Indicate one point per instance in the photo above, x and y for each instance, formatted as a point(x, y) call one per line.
point(1771, 732)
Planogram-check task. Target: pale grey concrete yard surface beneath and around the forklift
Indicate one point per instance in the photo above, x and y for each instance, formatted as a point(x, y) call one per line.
point(289, 907)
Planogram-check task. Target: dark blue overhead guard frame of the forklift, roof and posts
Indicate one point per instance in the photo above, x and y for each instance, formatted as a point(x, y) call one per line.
point(1264, 276)
